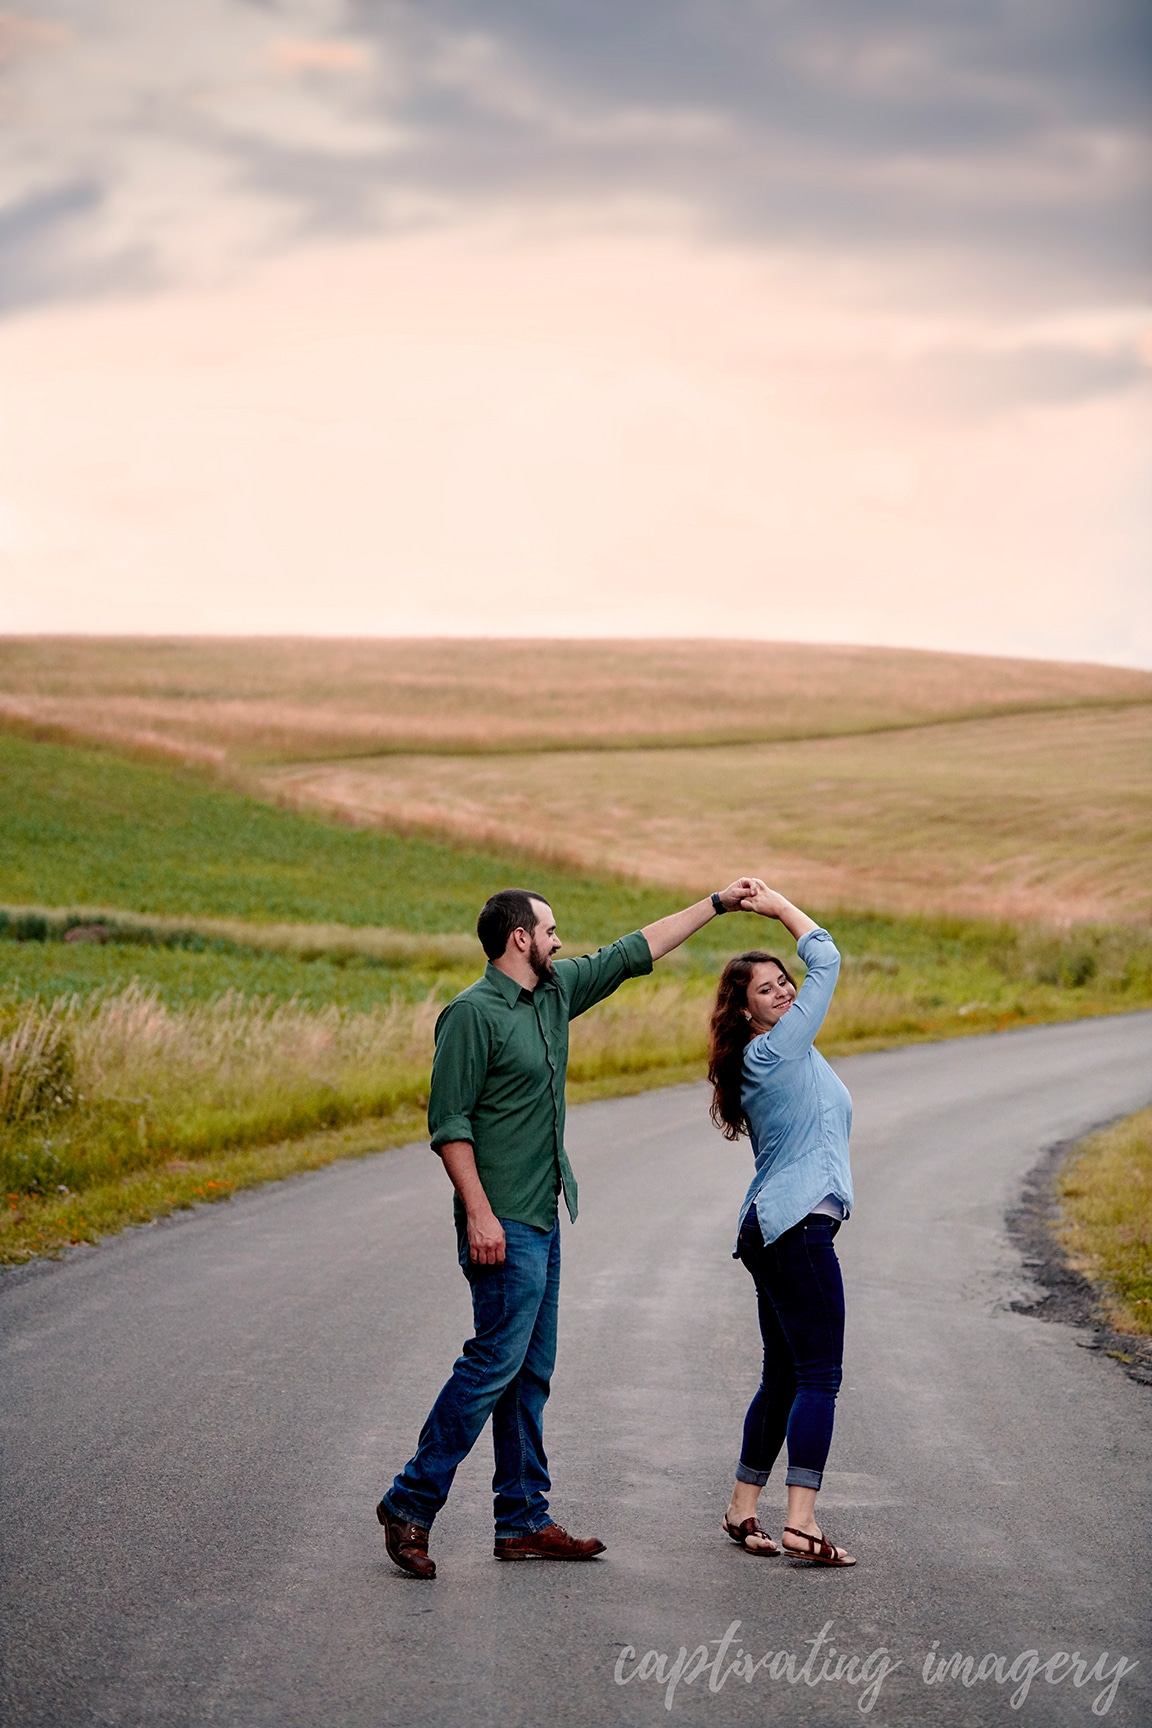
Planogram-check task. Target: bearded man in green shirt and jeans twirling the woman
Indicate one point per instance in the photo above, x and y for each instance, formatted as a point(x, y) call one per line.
point(497, 1117)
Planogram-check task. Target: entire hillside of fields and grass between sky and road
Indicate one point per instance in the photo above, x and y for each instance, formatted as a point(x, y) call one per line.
point(269, 936)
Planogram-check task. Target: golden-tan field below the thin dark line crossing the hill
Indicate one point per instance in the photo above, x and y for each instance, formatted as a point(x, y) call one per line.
point(1041, 818)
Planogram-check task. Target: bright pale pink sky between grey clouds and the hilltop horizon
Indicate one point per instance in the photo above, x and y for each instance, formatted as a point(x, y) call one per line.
point(585, 435)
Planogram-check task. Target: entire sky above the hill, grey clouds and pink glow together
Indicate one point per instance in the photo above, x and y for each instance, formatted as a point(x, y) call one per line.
point(598, 403)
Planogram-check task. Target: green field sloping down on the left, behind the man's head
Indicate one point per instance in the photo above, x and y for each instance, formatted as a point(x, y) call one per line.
point(84, 829)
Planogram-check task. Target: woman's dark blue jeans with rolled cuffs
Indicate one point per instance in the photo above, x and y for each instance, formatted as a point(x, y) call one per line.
point(802, 1321)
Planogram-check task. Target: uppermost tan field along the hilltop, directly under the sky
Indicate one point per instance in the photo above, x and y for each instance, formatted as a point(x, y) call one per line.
point(220, 702)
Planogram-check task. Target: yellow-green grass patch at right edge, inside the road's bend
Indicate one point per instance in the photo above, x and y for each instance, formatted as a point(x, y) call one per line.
point(1106, 1195)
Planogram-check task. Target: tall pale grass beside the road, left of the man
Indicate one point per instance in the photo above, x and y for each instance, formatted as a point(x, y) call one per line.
point(120, 1083)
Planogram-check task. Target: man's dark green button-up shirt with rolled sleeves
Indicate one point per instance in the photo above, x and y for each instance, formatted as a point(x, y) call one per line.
point(498, 1077)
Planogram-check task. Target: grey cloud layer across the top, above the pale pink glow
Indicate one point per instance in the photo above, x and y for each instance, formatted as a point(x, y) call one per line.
point(1006, 141)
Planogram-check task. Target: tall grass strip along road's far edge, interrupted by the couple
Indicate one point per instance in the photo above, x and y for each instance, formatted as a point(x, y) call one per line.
point(94, 1090)
